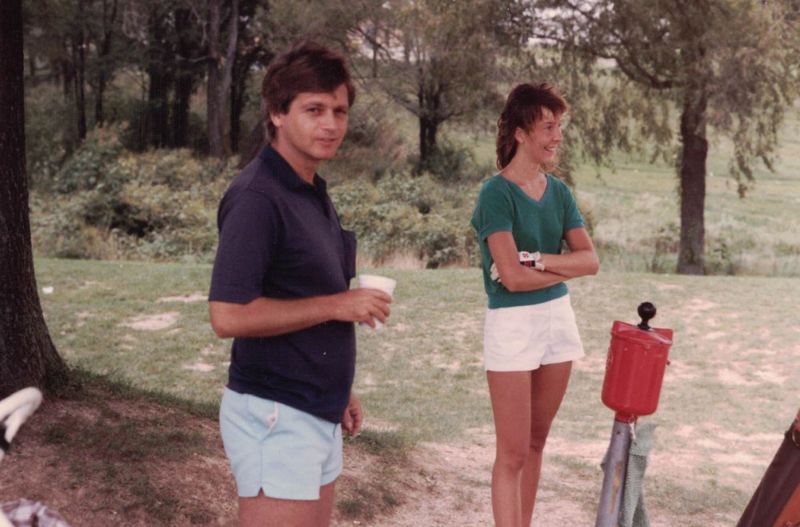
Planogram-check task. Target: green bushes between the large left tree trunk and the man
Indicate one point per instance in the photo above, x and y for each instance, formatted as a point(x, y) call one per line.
point(112, 204)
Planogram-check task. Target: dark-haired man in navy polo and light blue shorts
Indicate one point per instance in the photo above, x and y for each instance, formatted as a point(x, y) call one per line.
point(280, 288)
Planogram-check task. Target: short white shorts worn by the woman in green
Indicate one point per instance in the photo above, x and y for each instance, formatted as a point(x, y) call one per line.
point(525, 337)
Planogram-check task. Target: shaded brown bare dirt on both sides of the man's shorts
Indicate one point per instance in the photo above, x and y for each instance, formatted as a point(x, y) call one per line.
point(140, 454)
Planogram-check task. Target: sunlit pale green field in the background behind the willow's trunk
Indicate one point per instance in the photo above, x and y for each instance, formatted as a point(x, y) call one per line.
point(635, 208)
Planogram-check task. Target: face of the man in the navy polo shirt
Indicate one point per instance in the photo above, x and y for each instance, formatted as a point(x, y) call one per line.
point(314, 126)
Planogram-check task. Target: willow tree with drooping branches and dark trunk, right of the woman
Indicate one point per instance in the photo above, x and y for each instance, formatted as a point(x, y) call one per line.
point(723, 65)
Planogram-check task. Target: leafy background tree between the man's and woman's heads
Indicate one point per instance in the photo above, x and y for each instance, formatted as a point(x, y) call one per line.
point(438, 57)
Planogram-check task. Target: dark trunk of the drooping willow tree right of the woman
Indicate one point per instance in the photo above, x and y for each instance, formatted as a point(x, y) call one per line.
point(693, 181)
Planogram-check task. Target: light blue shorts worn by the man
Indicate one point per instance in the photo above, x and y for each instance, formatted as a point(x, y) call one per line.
point(288, 453)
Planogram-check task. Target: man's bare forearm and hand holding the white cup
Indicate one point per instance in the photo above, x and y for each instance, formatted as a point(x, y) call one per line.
point(267, 317)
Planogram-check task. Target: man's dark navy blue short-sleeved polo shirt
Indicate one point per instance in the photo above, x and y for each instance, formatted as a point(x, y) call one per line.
point(280, 237)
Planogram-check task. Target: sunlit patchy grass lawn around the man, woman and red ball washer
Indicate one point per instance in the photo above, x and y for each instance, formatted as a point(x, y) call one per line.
point(728, 394)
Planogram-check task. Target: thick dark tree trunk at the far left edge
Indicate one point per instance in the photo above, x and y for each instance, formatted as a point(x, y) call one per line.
point(27, 355)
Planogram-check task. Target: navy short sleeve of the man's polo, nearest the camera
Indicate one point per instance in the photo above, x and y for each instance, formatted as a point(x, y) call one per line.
point(249, 228)
